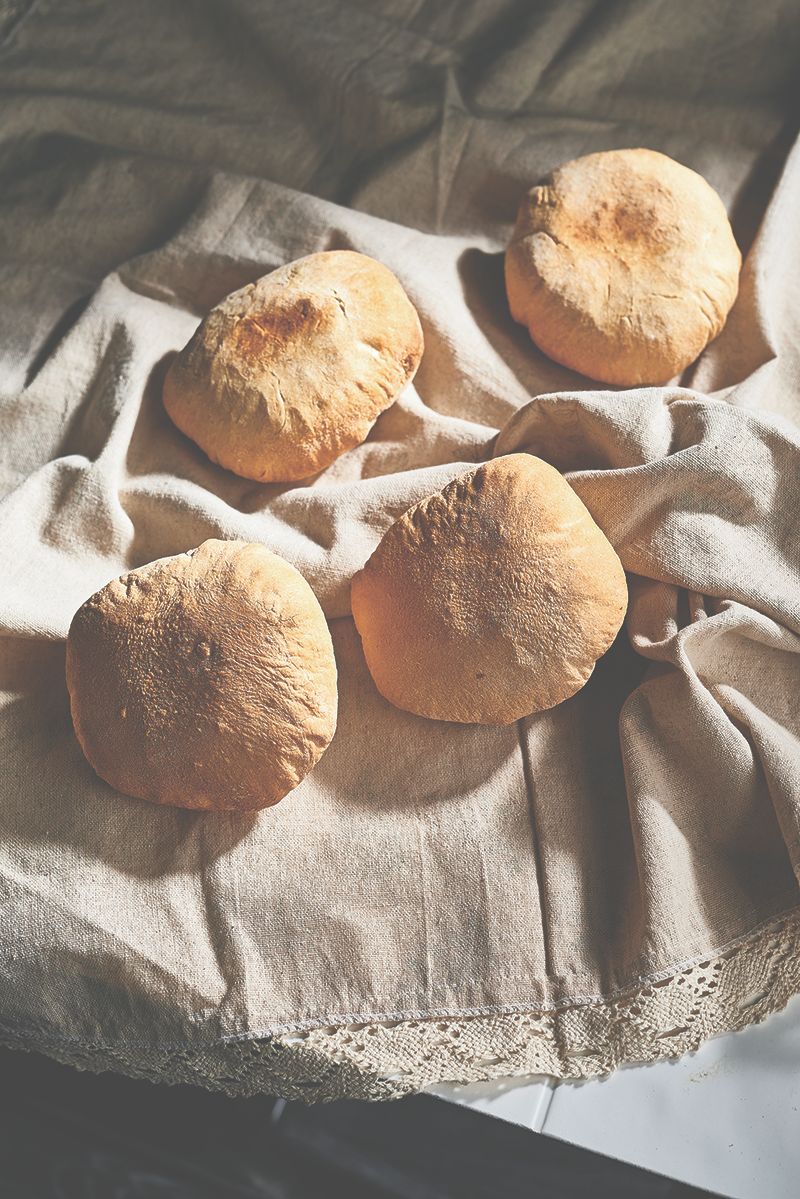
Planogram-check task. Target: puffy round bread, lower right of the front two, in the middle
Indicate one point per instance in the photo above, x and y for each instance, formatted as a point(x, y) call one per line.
point(490, 600)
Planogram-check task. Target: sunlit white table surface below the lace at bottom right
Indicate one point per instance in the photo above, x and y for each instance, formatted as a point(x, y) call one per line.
point(725, 1118)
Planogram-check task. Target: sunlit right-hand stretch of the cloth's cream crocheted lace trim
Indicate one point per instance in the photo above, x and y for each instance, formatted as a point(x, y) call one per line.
point(737, 987)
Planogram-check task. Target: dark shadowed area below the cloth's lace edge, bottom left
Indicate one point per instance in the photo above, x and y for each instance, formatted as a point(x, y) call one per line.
point(67, 1135)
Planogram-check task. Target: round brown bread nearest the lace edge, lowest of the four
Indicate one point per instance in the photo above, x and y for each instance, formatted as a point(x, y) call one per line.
point(206, 680)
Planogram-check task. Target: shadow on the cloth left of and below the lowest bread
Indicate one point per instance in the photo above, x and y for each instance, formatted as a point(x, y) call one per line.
point(51, 796)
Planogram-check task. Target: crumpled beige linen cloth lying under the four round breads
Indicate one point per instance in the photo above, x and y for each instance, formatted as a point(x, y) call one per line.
point(425, 872)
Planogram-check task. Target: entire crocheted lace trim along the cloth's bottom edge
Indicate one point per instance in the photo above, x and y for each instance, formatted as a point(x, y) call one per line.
point(737, 986)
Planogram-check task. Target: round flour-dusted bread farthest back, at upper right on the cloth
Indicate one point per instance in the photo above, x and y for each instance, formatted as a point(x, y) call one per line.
point(623, 266)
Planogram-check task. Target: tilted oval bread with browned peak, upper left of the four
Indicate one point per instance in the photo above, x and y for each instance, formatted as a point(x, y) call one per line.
point(287, 373)
